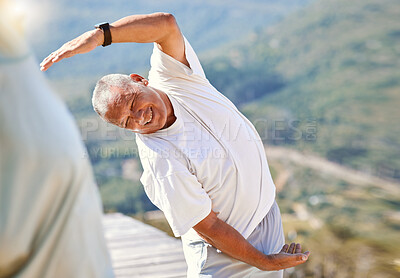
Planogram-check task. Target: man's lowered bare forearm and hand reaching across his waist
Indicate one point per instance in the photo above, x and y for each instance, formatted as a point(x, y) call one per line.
point(225, 238)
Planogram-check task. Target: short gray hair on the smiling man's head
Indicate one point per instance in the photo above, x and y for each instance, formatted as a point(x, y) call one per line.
point(102, 93)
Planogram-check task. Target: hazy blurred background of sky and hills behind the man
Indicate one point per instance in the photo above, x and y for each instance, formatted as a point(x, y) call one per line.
point(319, 79)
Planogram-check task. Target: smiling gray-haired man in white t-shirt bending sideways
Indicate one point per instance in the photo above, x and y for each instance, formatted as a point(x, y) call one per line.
point(204, 163)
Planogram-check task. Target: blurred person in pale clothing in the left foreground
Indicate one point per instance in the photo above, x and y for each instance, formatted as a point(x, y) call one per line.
point(50, 208)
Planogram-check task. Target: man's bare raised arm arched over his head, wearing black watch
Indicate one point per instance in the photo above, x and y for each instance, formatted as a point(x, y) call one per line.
point(160, 28)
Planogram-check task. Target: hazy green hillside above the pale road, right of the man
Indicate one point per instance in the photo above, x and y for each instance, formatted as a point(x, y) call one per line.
point(335, 64)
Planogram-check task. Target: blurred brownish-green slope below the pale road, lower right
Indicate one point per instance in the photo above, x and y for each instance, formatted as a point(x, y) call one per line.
point(349, 221)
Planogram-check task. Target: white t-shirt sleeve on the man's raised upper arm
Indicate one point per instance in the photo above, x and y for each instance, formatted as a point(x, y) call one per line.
point(164, 67)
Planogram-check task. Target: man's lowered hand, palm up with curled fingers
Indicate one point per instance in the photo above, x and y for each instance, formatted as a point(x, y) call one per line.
point(289, 256)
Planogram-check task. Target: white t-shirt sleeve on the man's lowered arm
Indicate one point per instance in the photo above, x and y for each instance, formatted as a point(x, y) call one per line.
point(180, 196)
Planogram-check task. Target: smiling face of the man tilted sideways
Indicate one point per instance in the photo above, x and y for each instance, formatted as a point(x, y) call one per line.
point(138, 107)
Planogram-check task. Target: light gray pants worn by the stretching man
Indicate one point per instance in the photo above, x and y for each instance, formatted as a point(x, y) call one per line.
point(206, 261)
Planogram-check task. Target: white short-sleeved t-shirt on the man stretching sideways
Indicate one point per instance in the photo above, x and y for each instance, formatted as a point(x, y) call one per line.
point(211, 157)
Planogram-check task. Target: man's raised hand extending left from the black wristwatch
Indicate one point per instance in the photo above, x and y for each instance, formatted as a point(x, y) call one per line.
point(82, 44)
